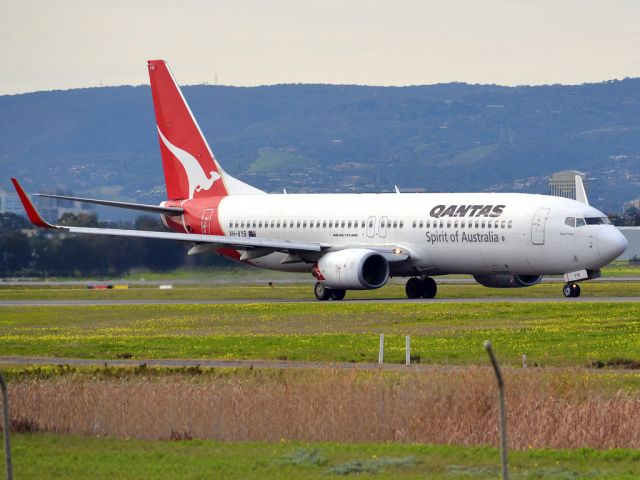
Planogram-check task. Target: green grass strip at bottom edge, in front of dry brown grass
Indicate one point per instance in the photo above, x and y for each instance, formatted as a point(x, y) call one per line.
point(48, 457)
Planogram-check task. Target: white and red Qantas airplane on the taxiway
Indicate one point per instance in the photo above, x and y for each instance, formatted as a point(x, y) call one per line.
point(359, 241)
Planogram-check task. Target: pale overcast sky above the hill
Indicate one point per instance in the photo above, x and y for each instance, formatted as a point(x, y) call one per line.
point(62, 44)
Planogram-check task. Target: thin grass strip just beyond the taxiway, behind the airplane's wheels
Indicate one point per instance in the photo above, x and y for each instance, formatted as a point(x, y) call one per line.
point(282, 291)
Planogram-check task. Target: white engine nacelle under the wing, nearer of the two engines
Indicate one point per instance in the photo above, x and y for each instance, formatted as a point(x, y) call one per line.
point(353, 269)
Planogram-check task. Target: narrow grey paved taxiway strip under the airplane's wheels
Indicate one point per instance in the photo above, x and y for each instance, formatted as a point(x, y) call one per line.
point(87, 303)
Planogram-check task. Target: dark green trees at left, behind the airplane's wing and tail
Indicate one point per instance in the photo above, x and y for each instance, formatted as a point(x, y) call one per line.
point(25, 251)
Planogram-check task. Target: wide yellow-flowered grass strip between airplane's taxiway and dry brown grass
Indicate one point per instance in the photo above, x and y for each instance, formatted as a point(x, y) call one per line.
point(550, 334)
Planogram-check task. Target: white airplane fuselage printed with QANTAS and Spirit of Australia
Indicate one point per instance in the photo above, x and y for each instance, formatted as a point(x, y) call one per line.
point(474, 233)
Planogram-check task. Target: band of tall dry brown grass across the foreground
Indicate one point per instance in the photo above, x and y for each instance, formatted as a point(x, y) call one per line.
point(558, 410)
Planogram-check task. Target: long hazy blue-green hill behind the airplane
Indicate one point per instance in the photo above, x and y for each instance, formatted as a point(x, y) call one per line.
point(451, 137)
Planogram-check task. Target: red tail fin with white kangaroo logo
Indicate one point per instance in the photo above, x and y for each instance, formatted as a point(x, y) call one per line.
point(190, 169)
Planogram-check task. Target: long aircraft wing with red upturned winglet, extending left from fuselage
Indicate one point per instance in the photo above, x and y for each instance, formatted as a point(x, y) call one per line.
point(240, 243)
